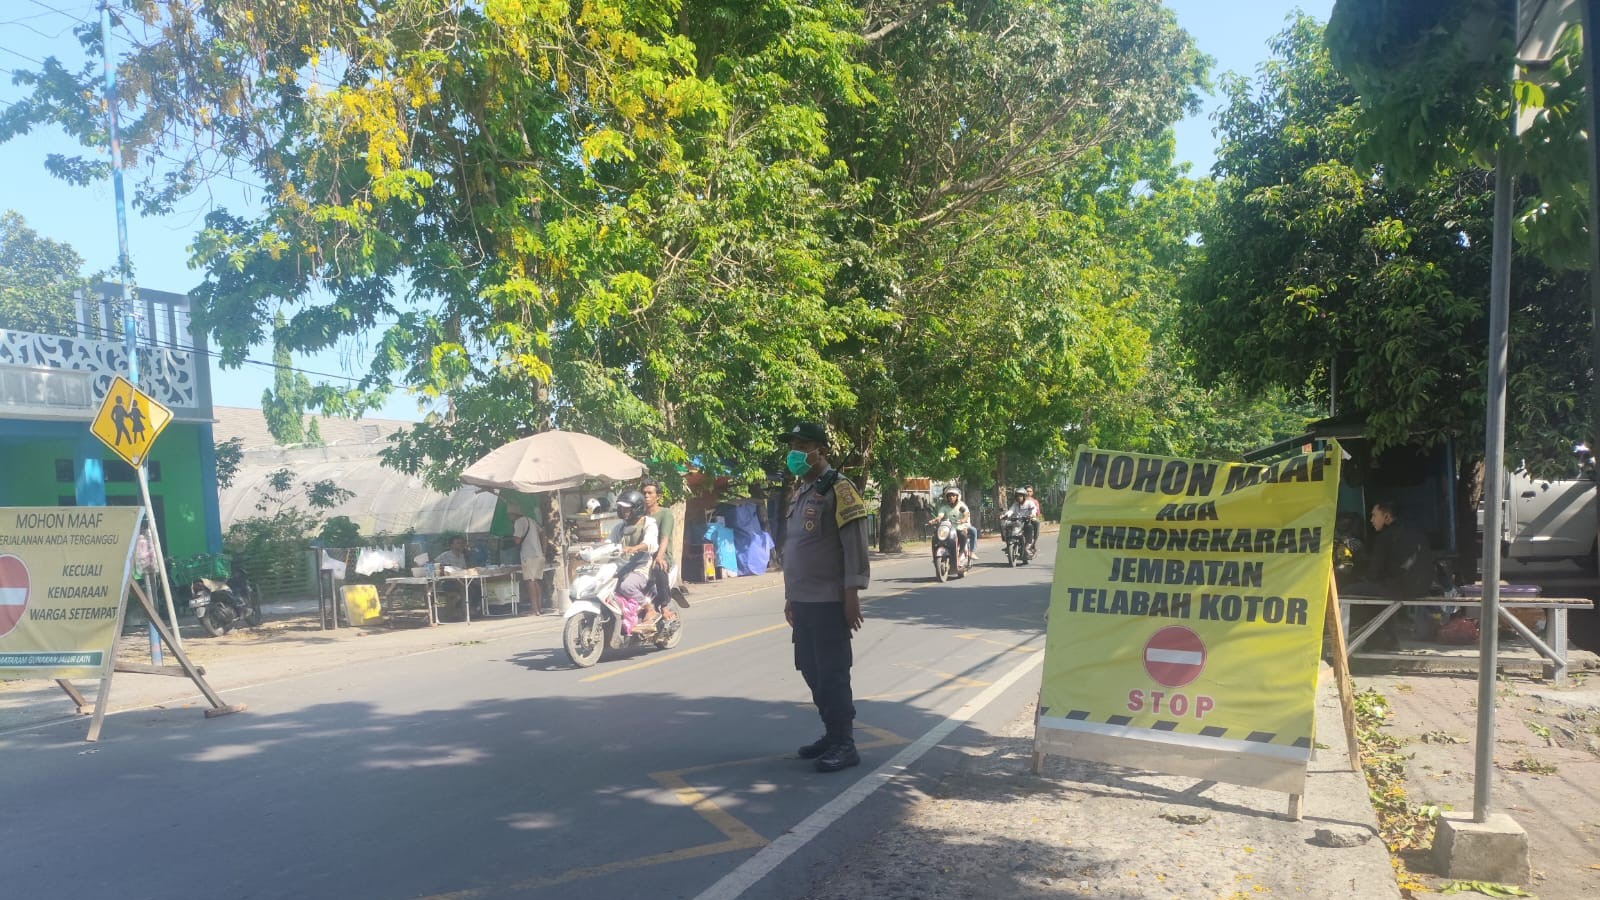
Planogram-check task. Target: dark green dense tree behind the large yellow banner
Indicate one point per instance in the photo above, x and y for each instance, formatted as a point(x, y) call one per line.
point(1321, 276)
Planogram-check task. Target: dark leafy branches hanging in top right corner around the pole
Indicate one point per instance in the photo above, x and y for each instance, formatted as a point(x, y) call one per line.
point(1436, 92)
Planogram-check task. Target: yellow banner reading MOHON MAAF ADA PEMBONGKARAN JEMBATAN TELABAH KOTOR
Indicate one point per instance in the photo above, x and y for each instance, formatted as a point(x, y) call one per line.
point(1186, 616)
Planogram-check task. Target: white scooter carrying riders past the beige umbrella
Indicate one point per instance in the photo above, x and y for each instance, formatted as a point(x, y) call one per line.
point(594, 619)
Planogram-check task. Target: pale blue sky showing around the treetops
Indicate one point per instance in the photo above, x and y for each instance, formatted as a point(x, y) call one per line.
point(1234, 34)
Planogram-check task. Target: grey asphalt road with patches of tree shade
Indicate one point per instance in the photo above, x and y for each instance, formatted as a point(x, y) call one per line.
point(494, 769)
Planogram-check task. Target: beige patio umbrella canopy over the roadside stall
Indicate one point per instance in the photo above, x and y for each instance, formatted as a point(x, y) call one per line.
point(553, 460)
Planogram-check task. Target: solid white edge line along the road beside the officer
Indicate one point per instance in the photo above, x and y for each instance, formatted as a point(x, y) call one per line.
point(772, 856)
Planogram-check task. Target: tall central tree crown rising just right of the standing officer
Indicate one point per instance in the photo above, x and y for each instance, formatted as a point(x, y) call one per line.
point(994, 123)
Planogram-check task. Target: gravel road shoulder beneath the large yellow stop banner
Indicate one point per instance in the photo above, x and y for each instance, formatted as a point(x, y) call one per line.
point(991, 829)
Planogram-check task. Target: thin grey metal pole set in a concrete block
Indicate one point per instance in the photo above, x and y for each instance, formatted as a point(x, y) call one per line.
point(1494, 468)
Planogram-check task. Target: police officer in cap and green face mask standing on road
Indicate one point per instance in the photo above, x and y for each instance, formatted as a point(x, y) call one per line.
point(825, 571)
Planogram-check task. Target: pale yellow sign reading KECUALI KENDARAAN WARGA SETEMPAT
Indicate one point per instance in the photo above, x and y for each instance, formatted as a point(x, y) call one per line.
point(63, 579)
